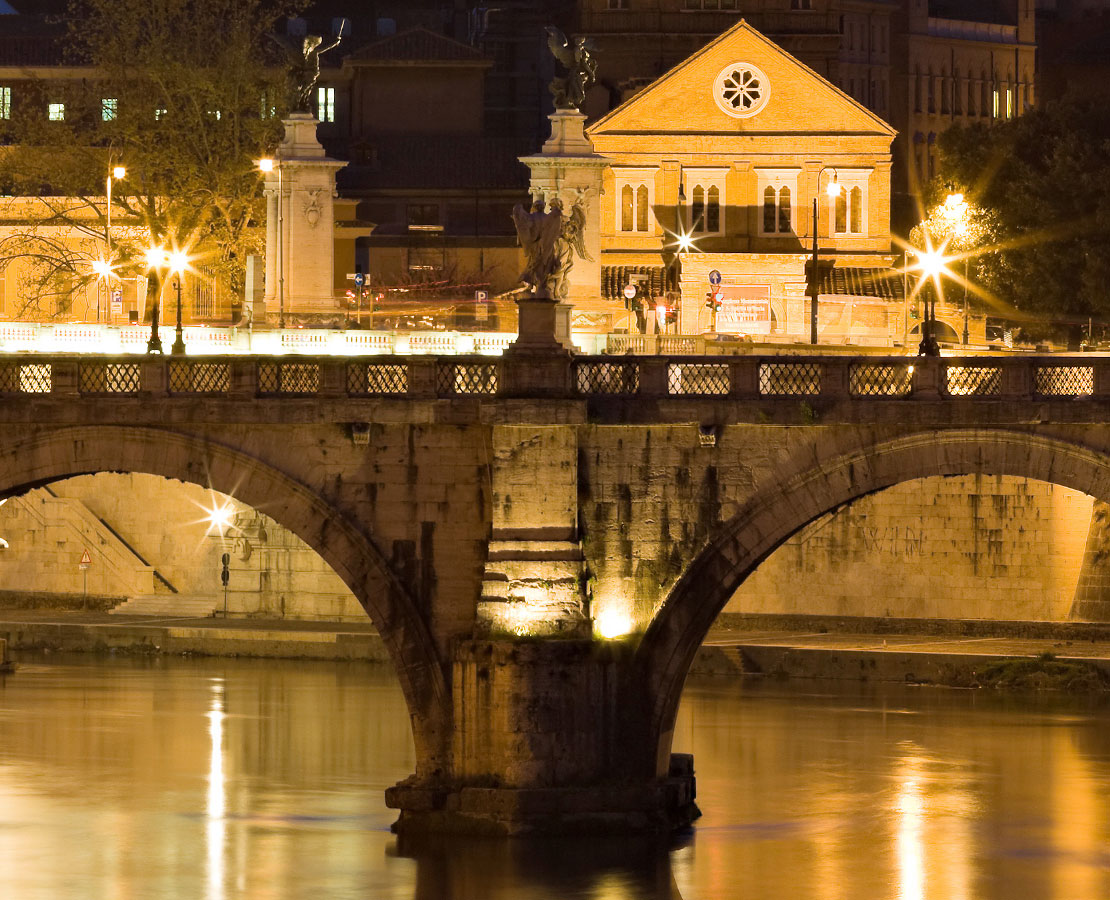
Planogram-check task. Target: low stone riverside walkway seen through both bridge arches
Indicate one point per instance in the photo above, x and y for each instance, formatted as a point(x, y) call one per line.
point(839, 651)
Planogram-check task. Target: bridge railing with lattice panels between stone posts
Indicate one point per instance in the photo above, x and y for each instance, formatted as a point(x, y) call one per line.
point(738, 378)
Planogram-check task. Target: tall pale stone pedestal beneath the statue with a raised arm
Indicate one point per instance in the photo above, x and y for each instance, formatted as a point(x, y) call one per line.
point(301, 226)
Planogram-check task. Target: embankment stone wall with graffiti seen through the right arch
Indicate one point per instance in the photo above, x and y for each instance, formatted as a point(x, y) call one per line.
point(987, 548)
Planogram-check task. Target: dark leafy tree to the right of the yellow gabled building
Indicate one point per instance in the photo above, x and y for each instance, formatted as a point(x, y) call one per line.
point(1040, 188)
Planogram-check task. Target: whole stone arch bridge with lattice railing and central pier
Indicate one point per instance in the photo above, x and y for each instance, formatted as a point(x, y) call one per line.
point(544, 541)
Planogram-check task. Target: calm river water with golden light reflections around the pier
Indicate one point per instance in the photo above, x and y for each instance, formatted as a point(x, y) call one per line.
point(210, 780)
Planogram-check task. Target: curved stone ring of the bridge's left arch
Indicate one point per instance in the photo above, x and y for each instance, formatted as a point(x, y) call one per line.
point(54, 454)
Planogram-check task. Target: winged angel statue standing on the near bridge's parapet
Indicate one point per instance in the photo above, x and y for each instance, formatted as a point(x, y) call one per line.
point(551, 241)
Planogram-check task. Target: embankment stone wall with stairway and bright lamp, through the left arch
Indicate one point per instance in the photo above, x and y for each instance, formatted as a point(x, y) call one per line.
point(134, 525)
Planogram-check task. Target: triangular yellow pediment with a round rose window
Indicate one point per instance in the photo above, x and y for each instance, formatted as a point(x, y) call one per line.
point(768, 90)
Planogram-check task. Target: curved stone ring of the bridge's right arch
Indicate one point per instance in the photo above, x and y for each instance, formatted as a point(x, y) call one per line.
point(833, 476)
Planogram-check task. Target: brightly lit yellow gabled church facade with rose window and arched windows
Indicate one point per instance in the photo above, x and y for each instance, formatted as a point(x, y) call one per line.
point(707, 185)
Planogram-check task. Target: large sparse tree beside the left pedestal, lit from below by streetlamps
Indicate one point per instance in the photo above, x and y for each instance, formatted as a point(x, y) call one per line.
point(196, 104)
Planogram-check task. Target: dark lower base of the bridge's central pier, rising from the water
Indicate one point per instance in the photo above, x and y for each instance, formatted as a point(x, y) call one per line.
point(550, 736)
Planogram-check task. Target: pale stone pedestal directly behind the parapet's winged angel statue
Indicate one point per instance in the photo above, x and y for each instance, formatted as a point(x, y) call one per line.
point(569, 169)
